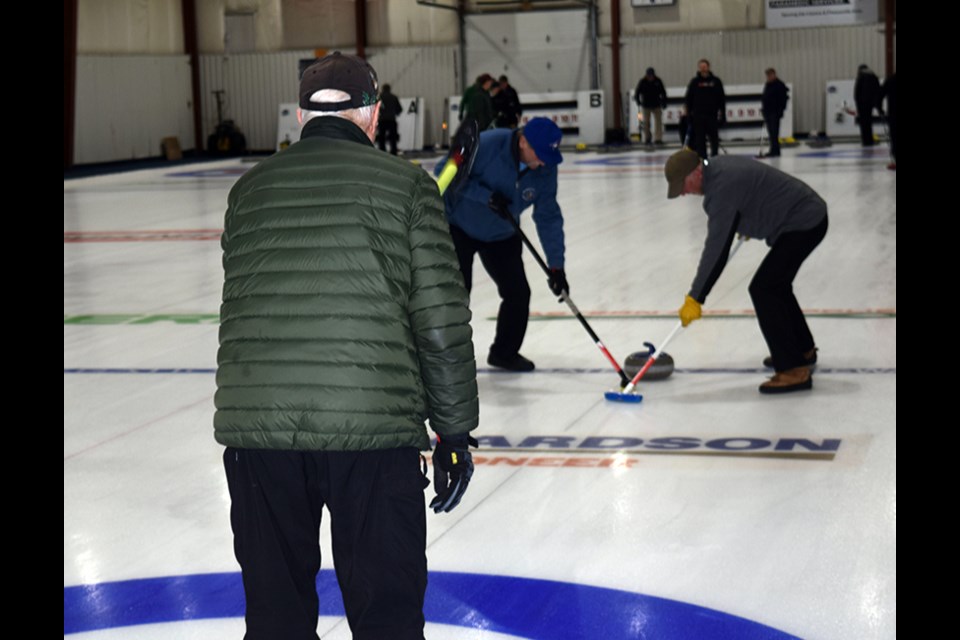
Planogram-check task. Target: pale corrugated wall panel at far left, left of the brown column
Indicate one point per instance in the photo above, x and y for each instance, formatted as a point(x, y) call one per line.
point(127, 104)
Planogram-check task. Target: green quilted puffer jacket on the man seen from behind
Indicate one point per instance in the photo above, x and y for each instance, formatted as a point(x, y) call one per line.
point(345, 322)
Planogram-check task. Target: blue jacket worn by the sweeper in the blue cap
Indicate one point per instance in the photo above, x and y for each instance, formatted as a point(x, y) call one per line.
point(497, 168)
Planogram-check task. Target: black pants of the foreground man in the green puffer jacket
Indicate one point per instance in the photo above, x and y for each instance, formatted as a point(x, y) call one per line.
point(378, 522)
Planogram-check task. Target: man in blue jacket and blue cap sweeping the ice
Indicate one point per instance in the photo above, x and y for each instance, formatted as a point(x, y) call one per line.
point(512, 170)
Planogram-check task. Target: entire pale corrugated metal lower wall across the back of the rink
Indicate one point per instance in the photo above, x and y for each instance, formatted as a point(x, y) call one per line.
point(127, 104)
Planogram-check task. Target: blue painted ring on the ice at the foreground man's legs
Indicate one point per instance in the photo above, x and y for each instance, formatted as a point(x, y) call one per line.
point(525, 607)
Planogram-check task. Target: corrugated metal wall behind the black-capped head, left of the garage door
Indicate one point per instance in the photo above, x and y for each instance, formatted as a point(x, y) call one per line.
point(256, 83)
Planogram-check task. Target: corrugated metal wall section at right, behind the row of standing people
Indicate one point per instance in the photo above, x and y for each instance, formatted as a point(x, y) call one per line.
point(807, 58)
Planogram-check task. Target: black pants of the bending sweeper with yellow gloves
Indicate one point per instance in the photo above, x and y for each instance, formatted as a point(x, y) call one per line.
point(778, 312)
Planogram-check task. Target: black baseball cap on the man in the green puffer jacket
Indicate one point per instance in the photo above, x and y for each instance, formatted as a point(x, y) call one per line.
point(344, 72)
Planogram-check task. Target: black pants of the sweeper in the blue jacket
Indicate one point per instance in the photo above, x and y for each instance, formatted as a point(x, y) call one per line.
point(502, 260)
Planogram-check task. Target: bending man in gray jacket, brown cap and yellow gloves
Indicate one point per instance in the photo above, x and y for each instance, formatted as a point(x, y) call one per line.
point(742, 196)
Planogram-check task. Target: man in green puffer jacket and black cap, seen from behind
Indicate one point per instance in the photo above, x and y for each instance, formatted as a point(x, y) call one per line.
point(344, 326)
